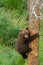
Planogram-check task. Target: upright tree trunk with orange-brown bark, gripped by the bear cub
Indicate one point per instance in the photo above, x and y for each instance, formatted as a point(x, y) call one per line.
point(34, 18)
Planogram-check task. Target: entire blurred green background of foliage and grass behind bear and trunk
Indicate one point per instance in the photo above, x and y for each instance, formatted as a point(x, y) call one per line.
point(13, 18)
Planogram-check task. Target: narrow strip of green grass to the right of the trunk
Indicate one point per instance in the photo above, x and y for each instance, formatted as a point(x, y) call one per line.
point(41, 44)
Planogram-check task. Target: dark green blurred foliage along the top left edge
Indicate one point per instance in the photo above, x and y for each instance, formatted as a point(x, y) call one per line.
point(19, 5)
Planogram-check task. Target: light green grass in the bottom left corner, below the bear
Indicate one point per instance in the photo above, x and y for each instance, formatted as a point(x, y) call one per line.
point(9, 56)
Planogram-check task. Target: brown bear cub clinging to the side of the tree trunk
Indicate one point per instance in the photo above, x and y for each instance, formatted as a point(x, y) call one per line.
point(23, 40)
